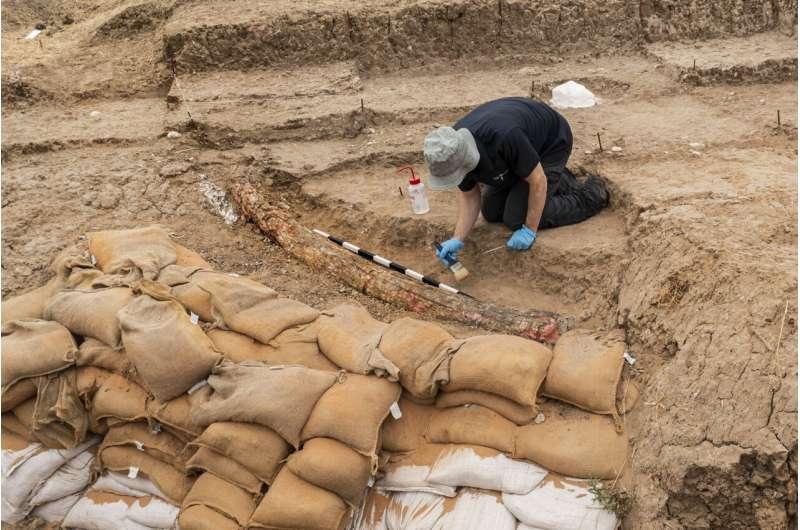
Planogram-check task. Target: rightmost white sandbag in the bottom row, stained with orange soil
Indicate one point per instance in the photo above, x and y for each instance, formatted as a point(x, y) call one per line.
point(560, 504)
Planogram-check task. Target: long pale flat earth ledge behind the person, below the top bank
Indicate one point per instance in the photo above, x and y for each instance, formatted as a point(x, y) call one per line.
point(316, 102)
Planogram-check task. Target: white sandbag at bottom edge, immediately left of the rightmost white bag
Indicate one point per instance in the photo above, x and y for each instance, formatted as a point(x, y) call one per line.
point(476, 510)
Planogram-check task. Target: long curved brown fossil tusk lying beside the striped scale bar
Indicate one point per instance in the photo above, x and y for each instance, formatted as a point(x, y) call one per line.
point(374, 281)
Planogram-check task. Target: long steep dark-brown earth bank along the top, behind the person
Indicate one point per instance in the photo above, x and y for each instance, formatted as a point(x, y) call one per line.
point(222, 35)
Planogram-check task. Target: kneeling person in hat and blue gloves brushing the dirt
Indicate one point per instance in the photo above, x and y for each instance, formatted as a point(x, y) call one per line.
point(516, 149)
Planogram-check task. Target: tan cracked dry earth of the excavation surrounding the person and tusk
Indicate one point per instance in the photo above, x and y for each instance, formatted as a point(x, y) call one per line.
point(695, 259)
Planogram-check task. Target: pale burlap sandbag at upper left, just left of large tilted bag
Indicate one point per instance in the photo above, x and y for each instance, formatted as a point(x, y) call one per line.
point(90, 312)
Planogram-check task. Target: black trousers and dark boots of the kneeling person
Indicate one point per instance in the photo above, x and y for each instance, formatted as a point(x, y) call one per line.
point(568, 200)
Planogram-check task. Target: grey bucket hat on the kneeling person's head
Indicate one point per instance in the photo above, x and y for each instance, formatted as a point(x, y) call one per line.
point(450, 155)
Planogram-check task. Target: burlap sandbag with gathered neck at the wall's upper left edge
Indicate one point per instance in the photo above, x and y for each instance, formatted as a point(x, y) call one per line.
point(70, 269)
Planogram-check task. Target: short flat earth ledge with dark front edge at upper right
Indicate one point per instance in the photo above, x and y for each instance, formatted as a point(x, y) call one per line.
point(761, 58)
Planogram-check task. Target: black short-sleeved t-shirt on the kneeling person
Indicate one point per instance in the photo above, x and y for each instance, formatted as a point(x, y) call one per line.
point(513, 135)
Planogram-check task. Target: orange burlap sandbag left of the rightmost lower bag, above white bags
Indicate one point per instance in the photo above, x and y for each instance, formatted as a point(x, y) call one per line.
point(472, 425)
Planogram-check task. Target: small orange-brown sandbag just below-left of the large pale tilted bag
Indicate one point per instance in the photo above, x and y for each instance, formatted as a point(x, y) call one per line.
point(119, 399)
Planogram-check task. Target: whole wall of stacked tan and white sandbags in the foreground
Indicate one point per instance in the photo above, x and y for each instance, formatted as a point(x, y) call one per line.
point(204, 398)
